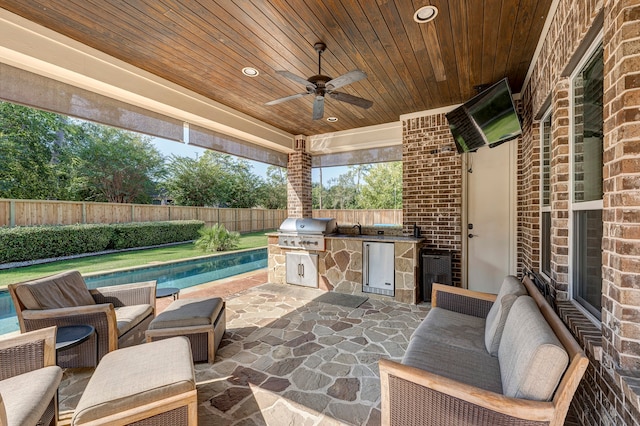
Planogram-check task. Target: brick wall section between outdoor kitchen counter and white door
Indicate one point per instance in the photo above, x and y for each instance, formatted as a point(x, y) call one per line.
point(432, 186)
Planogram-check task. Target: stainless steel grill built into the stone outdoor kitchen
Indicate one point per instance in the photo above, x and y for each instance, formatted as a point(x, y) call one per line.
point(305, 233)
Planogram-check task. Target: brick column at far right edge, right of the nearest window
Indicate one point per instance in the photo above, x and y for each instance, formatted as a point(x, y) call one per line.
point(621, 201)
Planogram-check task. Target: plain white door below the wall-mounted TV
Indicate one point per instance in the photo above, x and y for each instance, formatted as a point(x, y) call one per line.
point(491, 207)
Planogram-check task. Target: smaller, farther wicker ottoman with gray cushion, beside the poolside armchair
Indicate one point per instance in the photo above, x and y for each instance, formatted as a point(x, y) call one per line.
point(202, 321)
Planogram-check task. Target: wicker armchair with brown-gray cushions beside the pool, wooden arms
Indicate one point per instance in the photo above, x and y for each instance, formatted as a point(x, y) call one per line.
point(120, 314)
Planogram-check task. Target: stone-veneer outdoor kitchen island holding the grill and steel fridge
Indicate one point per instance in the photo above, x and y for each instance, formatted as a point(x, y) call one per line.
point(340, 265)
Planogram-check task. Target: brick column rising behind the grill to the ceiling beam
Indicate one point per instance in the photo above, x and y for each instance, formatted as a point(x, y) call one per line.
point(299, 180)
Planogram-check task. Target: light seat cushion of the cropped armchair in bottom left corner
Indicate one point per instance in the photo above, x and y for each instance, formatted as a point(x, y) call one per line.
point(27, 396)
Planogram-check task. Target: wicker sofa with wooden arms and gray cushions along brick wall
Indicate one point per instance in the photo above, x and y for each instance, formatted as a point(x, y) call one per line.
point(482, 359)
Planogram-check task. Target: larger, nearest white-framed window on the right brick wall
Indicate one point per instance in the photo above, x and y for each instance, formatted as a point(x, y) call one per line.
point(587, 128)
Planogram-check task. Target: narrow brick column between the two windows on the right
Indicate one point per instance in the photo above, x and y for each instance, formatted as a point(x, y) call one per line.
point(560, 189)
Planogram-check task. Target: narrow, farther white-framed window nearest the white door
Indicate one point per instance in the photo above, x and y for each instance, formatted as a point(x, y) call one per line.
point(545, 194)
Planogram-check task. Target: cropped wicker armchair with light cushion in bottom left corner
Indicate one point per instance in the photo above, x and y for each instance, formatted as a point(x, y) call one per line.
point(29, 379)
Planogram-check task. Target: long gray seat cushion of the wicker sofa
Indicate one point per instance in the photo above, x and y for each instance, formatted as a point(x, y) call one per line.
point(467, 366)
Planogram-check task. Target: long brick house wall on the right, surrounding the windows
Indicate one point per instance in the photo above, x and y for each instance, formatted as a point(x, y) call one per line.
point(608, 394)
